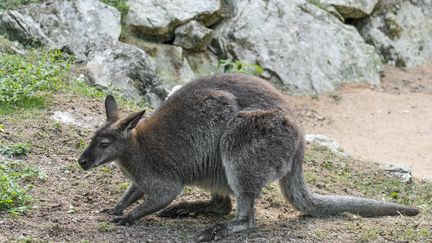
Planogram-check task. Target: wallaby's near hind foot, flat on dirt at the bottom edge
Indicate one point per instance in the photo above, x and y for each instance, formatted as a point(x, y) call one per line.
point(222, 230)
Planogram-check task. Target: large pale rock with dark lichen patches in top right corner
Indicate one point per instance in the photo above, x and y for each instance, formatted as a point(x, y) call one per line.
point(401, 31)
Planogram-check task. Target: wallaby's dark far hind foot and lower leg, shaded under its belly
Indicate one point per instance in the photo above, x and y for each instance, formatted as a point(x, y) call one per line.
point(218, 205)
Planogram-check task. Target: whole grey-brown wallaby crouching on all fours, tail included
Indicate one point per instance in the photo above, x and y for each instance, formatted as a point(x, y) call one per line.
point(230, 134)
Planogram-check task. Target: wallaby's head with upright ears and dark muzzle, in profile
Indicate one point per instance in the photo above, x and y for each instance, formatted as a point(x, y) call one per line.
point(111, 141)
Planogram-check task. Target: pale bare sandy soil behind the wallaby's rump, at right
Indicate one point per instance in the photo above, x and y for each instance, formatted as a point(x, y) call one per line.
point(390, 124)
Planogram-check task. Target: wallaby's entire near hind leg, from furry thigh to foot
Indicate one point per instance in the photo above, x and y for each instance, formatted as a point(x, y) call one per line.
point(256, 148)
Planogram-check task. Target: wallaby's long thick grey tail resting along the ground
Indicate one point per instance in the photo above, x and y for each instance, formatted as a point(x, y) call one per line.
point(295, 190)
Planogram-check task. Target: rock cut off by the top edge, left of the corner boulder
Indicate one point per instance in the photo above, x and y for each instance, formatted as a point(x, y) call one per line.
point(351, 8)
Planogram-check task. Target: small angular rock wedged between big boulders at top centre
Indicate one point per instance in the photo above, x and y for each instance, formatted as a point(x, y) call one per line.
point(193, 36)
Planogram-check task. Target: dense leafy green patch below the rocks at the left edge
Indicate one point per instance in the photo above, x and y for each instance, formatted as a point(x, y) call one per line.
point(25, 82)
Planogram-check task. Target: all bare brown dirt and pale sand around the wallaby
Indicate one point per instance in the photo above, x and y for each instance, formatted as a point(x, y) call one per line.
point(385, 124)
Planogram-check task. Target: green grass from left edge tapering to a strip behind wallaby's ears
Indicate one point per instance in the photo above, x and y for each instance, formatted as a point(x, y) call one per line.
point(28, 82)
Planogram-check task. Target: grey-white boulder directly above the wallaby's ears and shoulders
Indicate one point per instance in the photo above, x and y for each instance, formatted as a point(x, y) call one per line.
point(127, 69)
